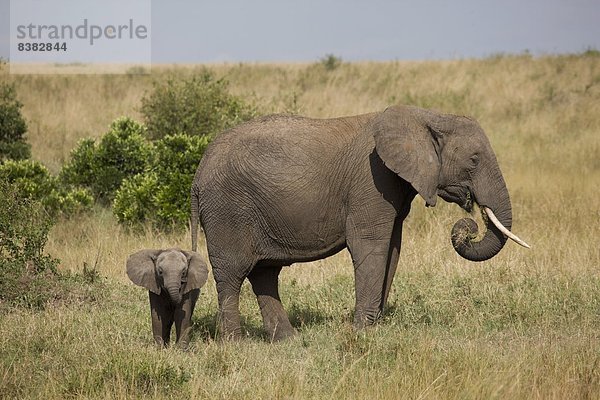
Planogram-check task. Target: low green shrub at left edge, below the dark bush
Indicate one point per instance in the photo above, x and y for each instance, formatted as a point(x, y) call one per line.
point(34, 182)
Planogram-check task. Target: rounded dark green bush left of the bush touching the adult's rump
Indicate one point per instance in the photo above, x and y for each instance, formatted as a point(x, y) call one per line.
point(121, 153)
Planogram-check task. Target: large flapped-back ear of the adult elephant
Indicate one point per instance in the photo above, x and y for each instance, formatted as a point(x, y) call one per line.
point(407, 141)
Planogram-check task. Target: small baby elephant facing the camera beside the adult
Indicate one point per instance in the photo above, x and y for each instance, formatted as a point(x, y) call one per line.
point(173, 278)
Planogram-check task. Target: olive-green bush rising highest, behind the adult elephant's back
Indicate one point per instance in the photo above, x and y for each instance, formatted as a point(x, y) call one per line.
point(198, 106)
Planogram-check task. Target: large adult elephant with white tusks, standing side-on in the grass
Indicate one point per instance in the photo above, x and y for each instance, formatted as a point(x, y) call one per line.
point(285, 189)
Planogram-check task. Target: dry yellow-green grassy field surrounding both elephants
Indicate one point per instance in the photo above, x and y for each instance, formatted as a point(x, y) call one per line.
point(523, 325)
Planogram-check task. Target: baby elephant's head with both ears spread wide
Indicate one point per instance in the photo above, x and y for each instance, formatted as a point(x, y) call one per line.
point(173, 270)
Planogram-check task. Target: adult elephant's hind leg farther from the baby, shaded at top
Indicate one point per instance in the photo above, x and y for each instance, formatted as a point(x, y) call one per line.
point(265, 284)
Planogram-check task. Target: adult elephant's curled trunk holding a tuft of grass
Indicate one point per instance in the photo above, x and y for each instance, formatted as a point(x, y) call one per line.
point(490, 192)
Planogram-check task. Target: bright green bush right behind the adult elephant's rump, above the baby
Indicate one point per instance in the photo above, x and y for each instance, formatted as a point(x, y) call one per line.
point(162, 194)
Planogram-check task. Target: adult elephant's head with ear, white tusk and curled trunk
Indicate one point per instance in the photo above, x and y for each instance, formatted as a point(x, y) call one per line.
point(449, 156)
